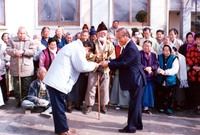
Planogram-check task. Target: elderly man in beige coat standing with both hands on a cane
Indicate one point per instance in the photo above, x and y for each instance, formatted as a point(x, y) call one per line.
point(21, 49)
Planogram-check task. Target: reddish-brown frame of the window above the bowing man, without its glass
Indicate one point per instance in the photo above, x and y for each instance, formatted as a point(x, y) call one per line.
point(59, 22)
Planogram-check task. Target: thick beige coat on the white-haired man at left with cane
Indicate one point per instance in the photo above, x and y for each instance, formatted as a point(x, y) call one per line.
point(26, 60)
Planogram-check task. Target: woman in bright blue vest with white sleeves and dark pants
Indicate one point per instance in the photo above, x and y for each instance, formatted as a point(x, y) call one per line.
point(167, 80)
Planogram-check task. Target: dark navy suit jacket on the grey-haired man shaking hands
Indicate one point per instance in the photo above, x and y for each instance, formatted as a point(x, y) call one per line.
point(131, 74)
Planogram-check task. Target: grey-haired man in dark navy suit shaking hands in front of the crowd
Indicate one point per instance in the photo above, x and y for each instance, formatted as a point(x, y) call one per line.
point(131, 77)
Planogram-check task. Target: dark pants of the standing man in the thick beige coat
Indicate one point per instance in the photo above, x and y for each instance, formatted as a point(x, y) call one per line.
point(25, 83)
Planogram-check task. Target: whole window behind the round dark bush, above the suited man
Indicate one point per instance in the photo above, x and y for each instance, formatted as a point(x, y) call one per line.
point(125, 10)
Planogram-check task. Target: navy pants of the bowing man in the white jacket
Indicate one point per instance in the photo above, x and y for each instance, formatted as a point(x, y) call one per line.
point(57, 99)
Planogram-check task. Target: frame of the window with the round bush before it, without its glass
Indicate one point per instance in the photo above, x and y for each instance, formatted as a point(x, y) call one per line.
point(130, 15)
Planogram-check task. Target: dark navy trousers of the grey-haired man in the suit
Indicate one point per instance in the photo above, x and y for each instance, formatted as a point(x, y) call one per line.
point(135, 109)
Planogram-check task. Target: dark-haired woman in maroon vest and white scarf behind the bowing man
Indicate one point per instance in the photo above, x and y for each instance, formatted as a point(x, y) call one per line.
point(48, 55)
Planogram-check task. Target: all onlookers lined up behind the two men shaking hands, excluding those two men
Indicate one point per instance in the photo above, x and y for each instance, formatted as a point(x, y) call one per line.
point(172, 68)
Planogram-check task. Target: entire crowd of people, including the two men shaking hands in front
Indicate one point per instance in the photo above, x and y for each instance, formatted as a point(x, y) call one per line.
point(64, 72)
